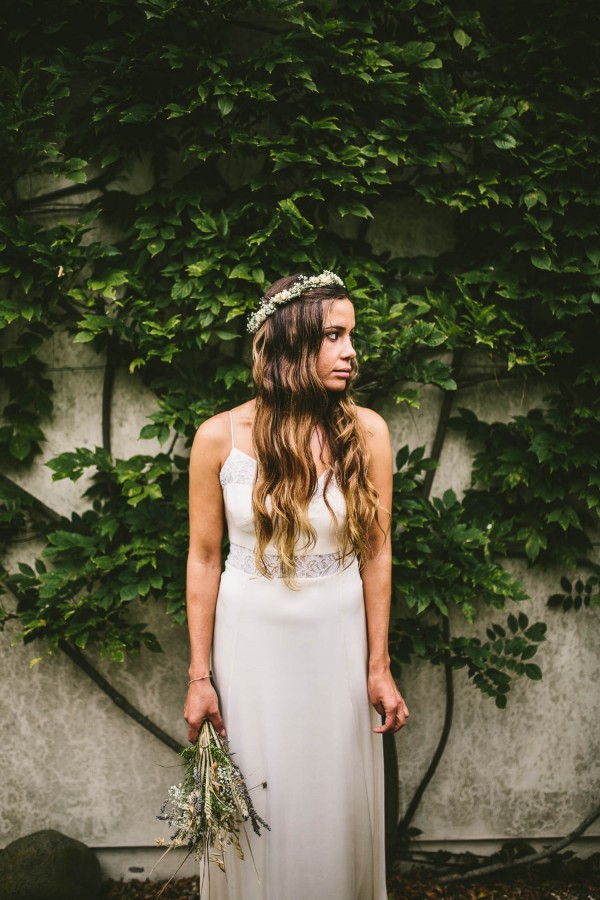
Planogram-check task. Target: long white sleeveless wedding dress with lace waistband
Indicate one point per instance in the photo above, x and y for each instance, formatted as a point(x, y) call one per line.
point(290, 671)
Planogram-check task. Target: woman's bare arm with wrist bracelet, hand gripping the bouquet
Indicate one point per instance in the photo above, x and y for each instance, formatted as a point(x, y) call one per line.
point(204, 572)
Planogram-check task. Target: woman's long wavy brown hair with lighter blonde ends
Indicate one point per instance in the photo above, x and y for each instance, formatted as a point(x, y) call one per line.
point(291, 401)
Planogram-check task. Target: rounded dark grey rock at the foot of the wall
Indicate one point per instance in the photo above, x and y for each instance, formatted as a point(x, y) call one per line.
point(48, 865)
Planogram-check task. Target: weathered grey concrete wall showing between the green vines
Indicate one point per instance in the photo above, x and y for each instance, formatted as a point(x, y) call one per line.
point(73, 761)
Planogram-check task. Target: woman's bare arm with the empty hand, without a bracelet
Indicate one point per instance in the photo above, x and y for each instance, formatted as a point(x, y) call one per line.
point(377, 578)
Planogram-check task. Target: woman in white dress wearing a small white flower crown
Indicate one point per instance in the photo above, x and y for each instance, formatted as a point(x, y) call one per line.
point(297, 622)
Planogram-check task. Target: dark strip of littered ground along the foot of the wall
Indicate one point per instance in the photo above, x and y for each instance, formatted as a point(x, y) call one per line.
point(415, 886)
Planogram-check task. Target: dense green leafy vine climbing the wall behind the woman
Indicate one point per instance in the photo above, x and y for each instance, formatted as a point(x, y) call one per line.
point(274, 138)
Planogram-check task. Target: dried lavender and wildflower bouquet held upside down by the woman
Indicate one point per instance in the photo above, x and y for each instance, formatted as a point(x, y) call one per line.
point(211, 802)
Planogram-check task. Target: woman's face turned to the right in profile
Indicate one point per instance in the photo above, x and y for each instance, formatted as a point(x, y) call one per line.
point(334, 362)
